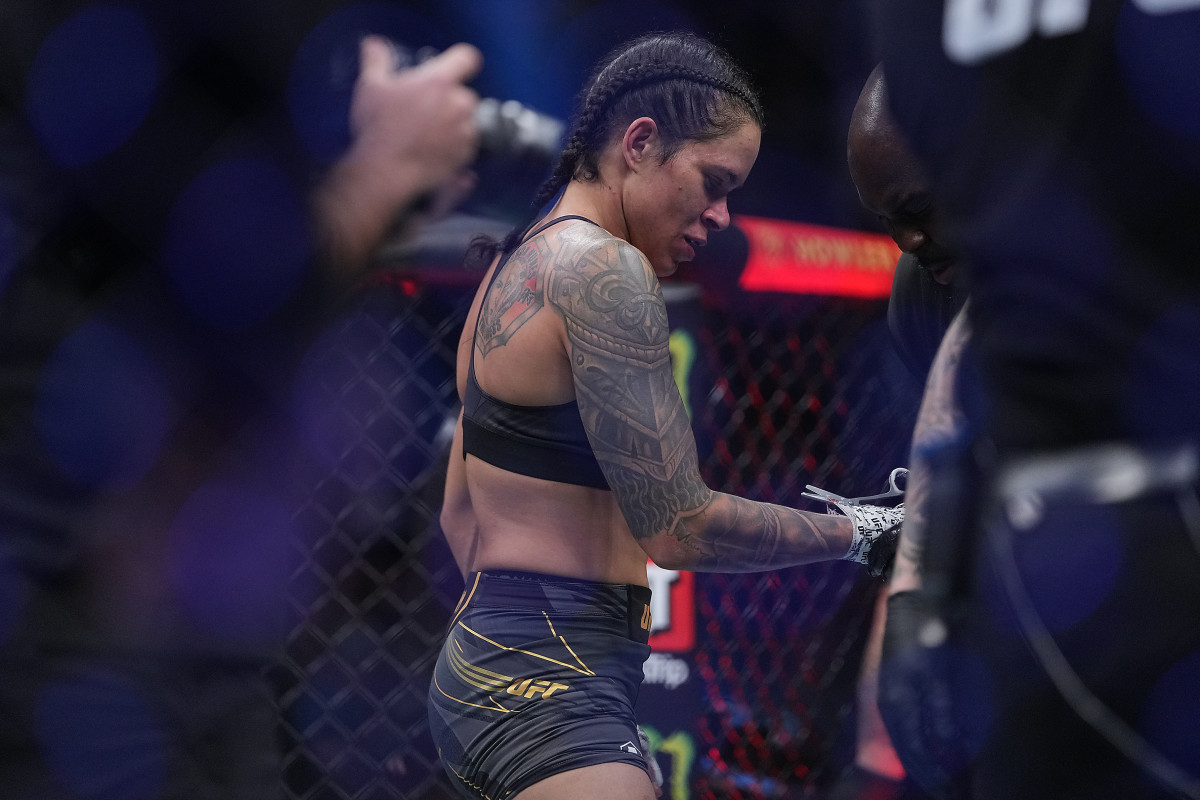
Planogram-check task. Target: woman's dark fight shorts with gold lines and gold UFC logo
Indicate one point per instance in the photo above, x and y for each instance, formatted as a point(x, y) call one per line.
point(538, 676)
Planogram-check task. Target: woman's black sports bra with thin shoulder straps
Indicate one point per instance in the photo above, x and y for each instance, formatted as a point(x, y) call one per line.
point(547, 442)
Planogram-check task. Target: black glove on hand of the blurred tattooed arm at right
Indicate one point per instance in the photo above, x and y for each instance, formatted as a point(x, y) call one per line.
point(922, 697)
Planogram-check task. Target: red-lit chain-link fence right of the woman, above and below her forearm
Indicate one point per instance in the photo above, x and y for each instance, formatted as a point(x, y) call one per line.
point(807, 392)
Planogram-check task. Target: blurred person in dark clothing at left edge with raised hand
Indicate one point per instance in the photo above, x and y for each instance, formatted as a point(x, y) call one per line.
point(169, 246)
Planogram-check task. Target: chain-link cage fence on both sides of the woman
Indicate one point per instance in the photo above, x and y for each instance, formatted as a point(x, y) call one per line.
point(784, 392)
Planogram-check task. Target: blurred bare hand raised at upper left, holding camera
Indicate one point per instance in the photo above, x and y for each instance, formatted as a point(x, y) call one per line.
point(415, 130)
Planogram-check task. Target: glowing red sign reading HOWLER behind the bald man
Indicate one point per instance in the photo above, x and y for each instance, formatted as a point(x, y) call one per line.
point(813, 260)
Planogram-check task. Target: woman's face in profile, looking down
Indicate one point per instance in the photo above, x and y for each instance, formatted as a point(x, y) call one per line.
point(673, 208)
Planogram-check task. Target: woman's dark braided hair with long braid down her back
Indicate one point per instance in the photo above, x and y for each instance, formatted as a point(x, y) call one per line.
point(692, 88)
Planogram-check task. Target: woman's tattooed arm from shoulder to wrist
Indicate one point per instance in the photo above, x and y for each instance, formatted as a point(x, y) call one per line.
point(617, 336)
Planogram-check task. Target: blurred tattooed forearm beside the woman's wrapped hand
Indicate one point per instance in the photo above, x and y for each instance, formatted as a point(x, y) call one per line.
point(940, 419)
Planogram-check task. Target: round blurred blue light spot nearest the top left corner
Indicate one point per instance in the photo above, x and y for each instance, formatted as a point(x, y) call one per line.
point(93, 83)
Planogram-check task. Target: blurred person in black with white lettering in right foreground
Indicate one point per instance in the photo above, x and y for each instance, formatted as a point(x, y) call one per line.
point(1061, 142)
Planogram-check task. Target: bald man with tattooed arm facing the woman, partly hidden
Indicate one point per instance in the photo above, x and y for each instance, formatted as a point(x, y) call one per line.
point(927, 298)
